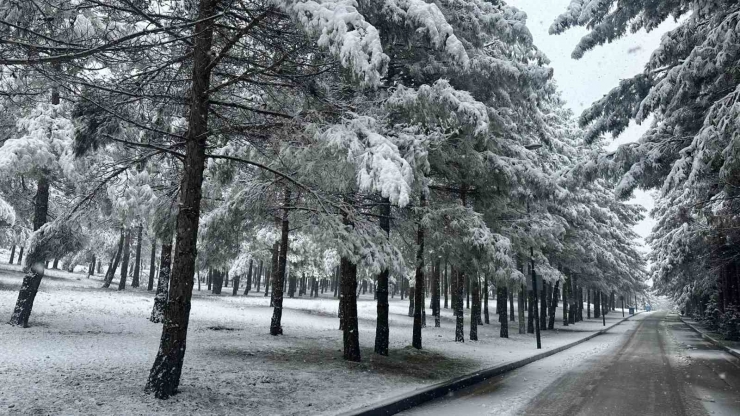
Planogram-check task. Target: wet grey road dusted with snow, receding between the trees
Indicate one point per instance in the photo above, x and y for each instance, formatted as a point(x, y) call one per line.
point(651, 365)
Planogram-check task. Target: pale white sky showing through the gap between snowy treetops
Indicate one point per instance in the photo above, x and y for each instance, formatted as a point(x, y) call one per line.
point(586, 80)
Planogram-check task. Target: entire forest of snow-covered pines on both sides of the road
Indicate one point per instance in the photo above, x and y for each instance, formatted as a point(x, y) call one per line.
point(403, 147)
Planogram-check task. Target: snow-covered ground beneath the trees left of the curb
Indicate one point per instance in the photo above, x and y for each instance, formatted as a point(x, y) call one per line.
point(89, 351)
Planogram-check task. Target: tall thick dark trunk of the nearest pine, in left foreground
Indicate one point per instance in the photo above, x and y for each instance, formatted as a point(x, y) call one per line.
point(164, 377)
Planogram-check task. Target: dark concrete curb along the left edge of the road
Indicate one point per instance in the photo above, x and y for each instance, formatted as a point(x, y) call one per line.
point(414, 398)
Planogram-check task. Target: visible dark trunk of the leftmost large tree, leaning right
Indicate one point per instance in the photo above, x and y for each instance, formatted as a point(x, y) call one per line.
point(33, 268)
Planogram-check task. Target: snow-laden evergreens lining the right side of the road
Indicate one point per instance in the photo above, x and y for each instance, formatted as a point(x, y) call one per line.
point(690, 90)
